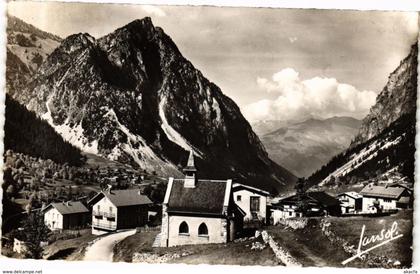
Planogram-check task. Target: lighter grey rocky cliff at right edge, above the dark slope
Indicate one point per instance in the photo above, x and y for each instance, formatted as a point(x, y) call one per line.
point(396, 99)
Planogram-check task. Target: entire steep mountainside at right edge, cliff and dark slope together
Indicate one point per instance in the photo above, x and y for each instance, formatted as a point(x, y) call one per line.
point(385, 143)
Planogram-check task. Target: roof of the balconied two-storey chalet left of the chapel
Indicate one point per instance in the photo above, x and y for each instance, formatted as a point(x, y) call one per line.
point(124, 197)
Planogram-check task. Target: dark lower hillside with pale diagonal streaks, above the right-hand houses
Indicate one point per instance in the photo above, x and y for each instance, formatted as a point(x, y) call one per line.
point(390, 151)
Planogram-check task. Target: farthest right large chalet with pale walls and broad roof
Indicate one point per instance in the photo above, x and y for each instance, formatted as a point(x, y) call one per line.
point(385, 198)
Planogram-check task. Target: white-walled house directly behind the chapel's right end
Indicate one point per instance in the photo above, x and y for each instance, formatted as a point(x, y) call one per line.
point(252, 201)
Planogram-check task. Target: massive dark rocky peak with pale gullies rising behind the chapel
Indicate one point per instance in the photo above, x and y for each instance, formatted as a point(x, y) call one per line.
point(132, 97)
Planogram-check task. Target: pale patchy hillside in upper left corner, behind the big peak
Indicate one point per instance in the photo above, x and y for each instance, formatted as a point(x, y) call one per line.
point(27, 49)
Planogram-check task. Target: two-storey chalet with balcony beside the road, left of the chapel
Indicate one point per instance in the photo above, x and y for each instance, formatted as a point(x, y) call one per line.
point(118, 209)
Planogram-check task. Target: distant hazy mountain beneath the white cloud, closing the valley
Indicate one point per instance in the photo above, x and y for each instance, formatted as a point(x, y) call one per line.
point(304, 147)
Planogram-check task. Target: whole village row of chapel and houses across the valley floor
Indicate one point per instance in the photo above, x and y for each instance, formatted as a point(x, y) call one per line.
point(201, 211)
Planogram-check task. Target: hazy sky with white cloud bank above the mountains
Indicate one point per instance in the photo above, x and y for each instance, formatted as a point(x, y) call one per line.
point(276, 64)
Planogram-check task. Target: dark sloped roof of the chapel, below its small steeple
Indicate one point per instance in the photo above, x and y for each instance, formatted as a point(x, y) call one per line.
point(207, 197)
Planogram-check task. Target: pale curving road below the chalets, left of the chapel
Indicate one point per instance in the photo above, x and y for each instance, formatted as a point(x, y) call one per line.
point(102, 250)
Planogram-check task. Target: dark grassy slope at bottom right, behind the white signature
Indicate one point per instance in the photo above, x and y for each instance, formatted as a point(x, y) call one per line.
point(311, 248)
